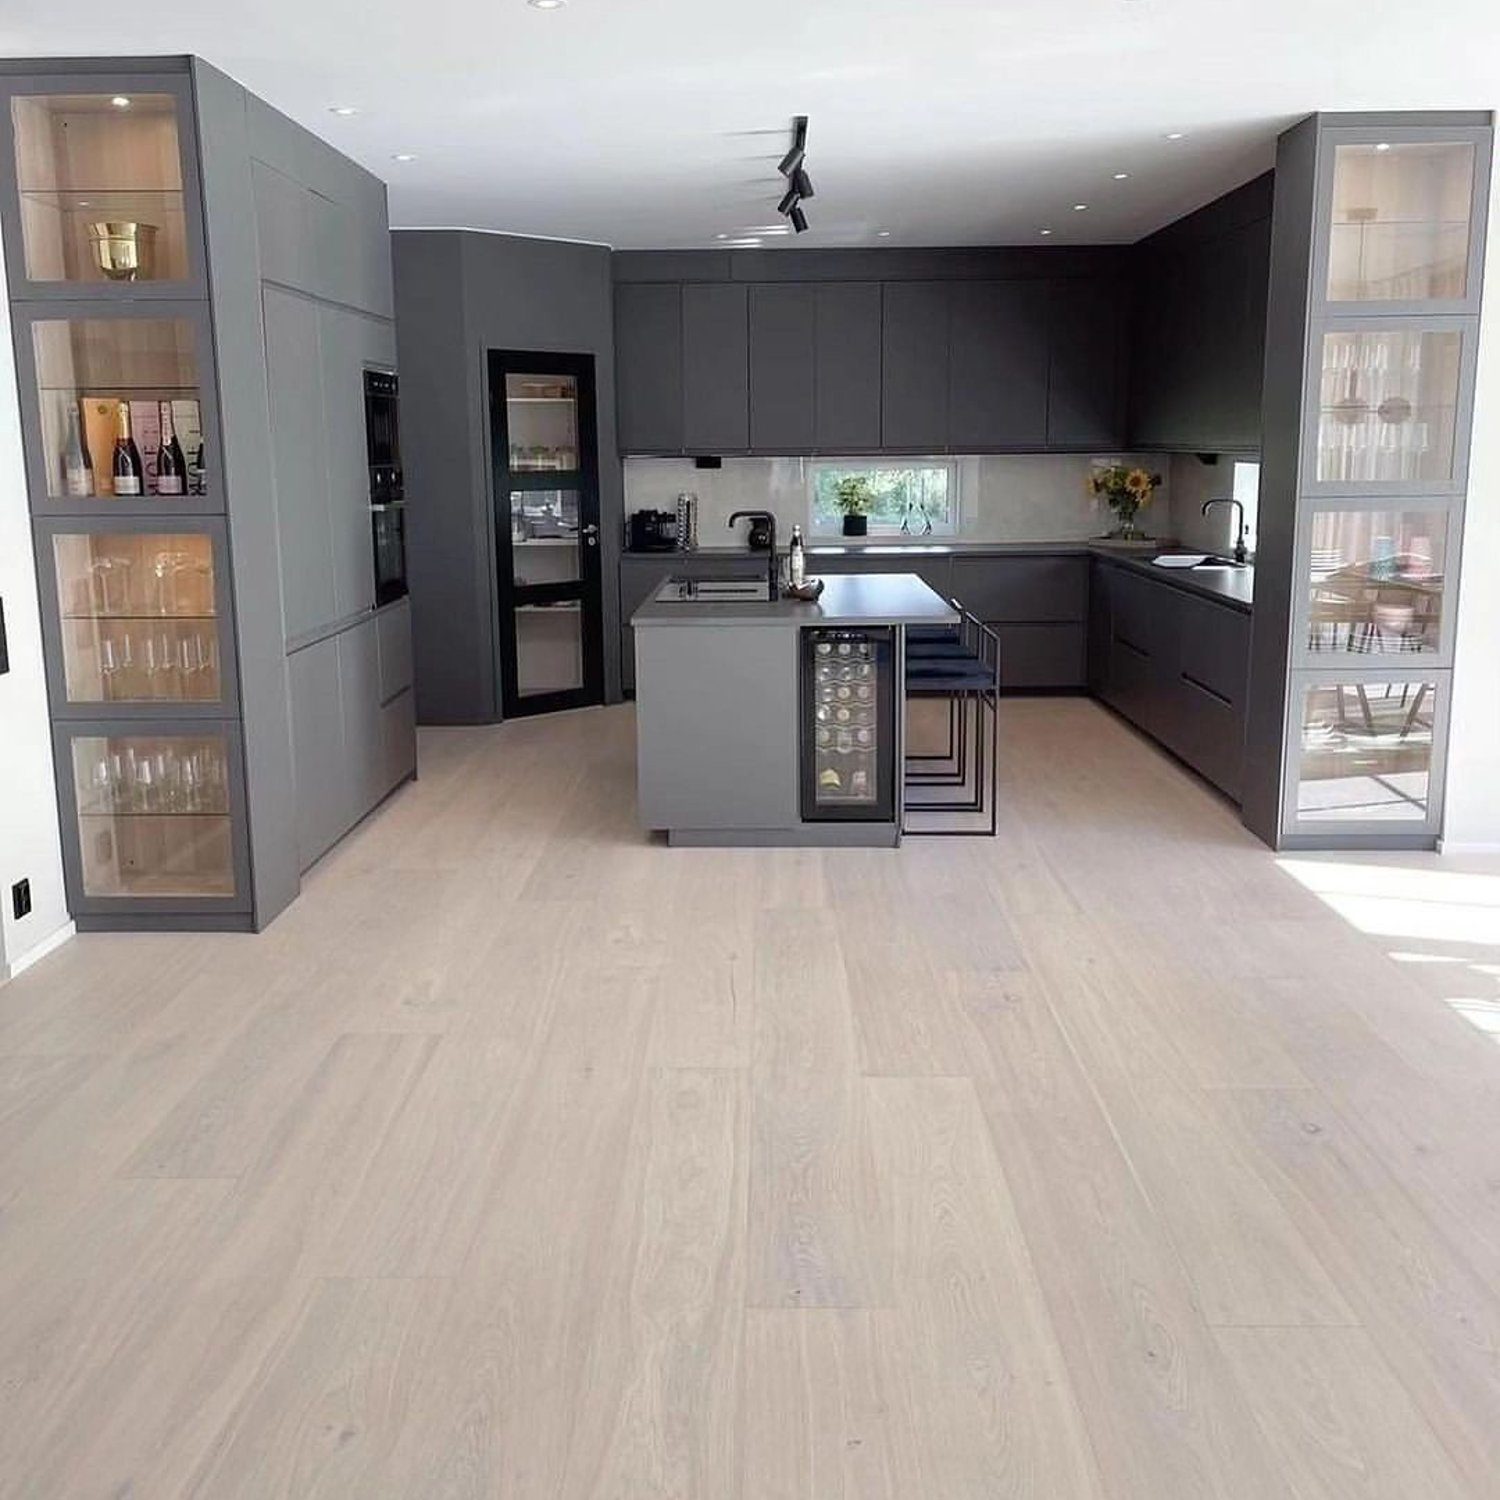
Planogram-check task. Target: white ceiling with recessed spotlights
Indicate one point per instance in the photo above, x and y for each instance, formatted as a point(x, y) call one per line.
point(944, 122)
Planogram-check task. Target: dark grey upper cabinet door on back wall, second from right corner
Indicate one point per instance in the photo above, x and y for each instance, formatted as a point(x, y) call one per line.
point(998, 365)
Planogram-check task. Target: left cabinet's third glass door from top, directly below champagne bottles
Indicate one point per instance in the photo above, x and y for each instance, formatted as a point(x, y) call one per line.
point(140, 617)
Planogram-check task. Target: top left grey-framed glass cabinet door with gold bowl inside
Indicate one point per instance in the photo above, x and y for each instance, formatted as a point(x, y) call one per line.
point(109, 196)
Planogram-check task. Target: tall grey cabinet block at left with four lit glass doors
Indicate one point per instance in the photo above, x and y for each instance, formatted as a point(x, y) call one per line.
point(157, 221)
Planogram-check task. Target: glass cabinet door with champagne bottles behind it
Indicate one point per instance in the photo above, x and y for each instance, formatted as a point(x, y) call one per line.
point(112, 385)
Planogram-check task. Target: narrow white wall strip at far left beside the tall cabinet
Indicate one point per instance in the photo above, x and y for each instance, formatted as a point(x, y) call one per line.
point(29, 844)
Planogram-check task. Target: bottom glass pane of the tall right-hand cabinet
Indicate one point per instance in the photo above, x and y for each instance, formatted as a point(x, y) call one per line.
point(1366, 752)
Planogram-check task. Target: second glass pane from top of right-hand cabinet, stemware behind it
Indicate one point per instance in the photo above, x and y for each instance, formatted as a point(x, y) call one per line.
point(1388, 407)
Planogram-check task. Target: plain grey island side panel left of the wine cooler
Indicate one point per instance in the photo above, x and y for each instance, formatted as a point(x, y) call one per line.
point(718, 727)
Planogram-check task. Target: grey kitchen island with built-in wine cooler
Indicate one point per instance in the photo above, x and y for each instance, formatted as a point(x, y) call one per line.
point(778, 722)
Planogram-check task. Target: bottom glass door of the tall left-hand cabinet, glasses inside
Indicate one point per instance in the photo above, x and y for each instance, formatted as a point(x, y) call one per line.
point(155, 815)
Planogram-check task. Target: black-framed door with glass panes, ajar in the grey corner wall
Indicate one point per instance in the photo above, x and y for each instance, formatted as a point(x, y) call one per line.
point(545, 457)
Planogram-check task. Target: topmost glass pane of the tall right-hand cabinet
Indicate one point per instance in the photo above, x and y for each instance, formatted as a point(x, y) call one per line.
point(1402, 223)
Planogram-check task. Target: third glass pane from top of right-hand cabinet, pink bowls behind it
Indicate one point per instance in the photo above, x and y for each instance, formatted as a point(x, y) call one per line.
point(1378, 581)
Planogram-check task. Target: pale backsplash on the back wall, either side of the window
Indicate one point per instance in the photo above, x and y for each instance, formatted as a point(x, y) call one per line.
point(1003, 499)
